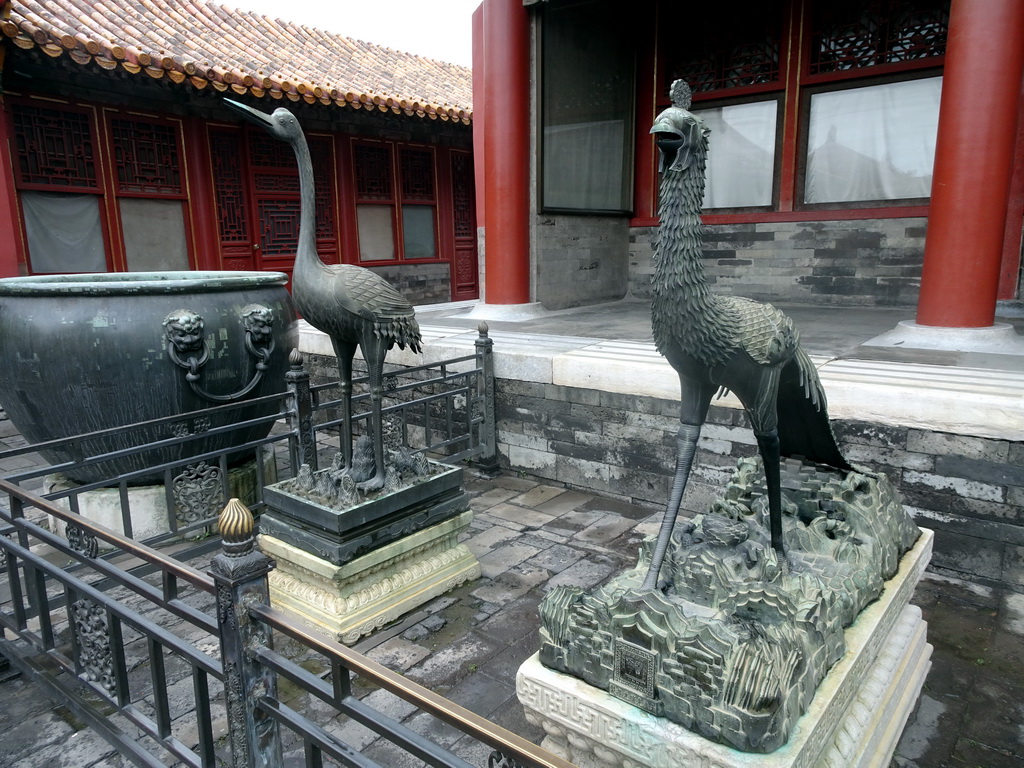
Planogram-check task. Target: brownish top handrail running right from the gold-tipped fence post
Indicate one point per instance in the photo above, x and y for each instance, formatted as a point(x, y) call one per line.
point(464, 720)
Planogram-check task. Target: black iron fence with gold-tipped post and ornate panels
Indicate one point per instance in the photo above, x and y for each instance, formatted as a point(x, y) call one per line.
point(168, 648)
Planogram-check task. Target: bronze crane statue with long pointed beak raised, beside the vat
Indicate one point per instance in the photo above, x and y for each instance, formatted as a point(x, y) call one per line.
point(353, 306)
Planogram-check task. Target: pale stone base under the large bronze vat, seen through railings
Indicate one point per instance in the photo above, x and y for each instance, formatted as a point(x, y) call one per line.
point(198, 495)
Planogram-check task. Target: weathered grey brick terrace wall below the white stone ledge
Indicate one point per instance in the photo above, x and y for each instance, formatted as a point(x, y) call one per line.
point(969, 490)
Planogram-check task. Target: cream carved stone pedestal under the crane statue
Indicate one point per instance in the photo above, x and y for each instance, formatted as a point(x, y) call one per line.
point(352, 601)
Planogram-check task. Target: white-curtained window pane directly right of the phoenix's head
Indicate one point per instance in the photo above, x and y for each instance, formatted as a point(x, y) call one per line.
point(741, 155)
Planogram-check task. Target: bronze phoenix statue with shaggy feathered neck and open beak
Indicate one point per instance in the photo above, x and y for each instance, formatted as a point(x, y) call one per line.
point(719, 343)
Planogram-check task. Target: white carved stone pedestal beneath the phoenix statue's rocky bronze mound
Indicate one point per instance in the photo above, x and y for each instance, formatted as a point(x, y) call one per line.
point(856, 718)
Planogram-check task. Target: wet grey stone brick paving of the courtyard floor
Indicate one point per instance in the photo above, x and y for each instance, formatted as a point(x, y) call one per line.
point(468, 645)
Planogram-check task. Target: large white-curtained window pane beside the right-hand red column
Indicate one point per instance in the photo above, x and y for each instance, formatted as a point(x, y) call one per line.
point(873, 144)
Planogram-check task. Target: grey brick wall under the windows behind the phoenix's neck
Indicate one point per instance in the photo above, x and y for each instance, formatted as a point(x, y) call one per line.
point(865, 264)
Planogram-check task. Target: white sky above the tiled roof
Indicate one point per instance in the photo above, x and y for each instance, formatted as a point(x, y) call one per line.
point(437, 29)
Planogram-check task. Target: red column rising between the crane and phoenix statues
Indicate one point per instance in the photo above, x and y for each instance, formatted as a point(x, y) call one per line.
point(506, 151)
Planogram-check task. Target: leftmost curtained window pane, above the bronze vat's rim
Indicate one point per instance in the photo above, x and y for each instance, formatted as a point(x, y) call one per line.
point(64, 233)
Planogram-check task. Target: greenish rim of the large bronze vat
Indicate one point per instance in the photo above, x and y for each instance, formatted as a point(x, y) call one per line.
point(120, 284)
